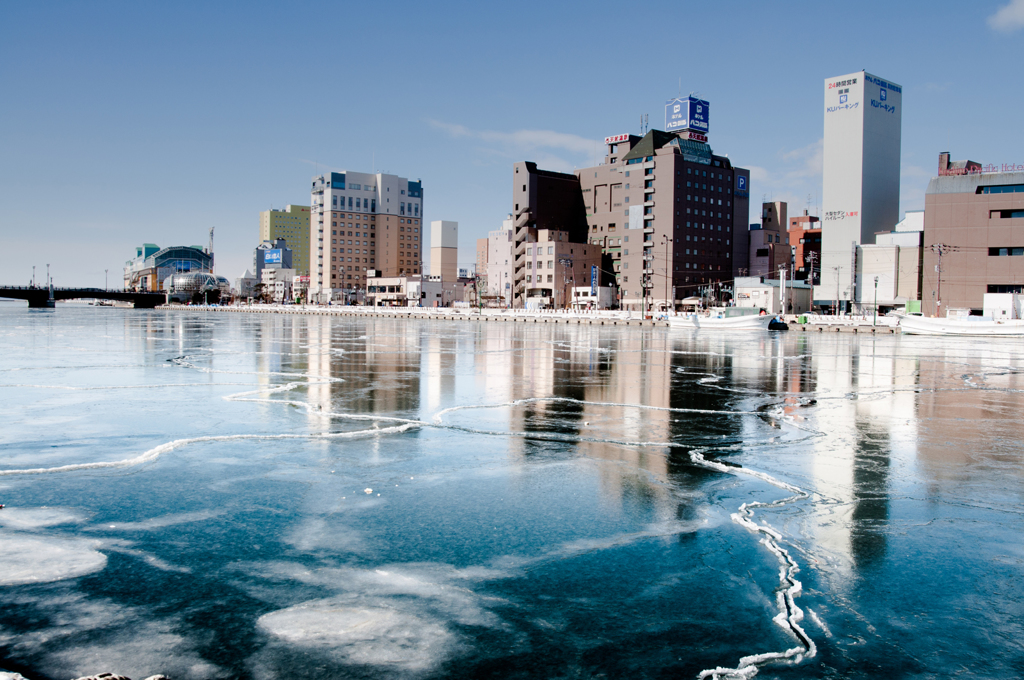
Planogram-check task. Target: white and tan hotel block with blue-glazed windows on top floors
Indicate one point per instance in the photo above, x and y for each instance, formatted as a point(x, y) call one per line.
point(363, 223)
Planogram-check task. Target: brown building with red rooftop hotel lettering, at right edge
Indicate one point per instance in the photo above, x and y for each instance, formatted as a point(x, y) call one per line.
point(974, 235)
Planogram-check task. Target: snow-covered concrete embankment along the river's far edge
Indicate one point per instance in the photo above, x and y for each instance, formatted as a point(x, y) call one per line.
point(818, 325)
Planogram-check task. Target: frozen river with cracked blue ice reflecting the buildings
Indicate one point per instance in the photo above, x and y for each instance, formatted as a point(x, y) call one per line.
point(236, 496)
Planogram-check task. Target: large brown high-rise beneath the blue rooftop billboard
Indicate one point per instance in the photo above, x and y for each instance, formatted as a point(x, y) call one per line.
point(670, 216)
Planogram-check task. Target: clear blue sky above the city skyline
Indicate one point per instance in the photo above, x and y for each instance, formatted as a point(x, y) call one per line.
point(124, 123)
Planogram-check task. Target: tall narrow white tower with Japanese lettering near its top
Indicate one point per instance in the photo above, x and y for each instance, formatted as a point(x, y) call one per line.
point(863, 120)
